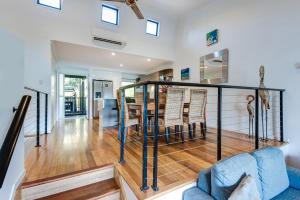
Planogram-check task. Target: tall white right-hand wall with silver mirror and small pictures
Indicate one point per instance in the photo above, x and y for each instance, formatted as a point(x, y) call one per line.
point(255, 32)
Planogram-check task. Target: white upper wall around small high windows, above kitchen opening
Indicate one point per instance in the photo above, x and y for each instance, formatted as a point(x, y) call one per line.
point(38, 25)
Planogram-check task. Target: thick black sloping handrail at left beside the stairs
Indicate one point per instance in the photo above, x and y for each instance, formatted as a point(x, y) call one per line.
point(12, 136)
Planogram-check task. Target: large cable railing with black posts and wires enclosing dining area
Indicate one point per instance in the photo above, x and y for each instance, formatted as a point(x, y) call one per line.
point(228, 127)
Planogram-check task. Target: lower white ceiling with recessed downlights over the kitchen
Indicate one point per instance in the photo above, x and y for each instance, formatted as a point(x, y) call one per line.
point(103, 58)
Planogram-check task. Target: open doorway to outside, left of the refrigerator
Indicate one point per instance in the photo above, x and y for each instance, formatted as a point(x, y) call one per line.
point(75, 95)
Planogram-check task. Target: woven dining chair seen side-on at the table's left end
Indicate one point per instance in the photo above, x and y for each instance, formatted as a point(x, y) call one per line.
point(130, 117)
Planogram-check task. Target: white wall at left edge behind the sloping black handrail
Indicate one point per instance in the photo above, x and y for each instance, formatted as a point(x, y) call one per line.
point(11, 85)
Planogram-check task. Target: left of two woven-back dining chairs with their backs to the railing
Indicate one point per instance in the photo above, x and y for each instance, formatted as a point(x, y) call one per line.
point(173, 114)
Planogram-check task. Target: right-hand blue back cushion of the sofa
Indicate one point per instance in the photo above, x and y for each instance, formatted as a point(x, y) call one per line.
point(272, 171)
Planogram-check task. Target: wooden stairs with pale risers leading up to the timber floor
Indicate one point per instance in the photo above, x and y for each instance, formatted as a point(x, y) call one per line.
point(92, 184)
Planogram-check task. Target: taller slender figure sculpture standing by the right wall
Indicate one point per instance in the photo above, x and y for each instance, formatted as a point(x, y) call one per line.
point(265, 102)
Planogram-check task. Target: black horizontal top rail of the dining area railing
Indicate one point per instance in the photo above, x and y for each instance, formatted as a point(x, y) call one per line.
point(197, 85)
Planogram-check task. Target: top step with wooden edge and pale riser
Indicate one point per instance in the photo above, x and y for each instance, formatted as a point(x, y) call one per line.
point(50, 186)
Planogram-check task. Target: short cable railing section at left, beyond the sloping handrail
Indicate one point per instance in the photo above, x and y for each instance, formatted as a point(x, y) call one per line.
point(36, 120)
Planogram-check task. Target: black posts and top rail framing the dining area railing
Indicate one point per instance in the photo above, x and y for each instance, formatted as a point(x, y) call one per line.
point(156, 127)
